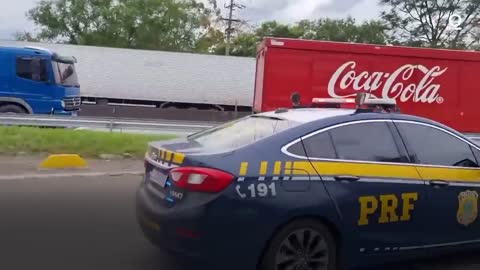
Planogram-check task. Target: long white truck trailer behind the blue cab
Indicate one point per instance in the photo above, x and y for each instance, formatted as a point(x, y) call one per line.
point(158, 78)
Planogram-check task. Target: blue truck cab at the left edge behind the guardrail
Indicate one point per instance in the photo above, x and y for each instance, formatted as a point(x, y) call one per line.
point(38, 81)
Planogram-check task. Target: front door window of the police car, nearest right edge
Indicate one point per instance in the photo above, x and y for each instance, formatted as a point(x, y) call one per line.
point(436, 147)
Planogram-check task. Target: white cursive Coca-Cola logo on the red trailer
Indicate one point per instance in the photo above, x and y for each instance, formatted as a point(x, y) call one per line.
point(388, 85)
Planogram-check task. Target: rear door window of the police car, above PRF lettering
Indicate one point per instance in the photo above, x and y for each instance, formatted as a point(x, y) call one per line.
point(366, 142)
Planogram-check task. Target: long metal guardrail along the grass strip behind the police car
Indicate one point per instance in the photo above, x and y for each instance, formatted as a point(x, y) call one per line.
point(102, 123)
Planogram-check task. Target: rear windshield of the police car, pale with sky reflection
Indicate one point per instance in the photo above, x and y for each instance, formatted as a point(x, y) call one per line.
point(242, 132)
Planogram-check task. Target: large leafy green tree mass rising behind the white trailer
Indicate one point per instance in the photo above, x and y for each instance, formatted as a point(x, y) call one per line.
point(146, 24)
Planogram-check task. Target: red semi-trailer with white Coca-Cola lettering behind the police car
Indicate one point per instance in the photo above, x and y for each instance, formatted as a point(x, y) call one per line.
point(439, 84)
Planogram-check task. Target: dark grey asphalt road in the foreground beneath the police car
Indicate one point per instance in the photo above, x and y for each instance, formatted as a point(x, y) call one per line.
point(88, 223)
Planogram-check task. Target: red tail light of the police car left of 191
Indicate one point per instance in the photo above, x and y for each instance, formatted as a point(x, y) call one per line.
point(201, 179)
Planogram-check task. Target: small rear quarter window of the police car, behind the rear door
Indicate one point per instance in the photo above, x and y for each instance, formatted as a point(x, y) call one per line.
point(320, 146)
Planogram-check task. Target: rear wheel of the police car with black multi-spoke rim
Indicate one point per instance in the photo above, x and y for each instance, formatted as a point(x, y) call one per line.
point(284, 249)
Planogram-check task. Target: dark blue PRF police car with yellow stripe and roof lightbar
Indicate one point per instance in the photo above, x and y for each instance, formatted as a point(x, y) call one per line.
point(332, 187)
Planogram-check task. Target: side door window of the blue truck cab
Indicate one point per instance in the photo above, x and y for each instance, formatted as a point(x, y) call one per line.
point(32, 69)
